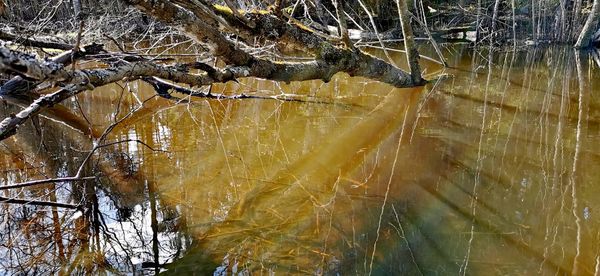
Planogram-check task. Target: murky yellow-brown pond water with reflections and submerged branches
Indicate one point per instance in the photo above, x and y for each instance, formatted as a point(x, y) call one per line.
point(492, 169)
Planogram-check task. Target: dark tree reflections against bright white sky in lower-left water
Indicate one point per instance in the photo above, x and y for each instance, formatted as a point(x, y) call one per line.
point(111, 223)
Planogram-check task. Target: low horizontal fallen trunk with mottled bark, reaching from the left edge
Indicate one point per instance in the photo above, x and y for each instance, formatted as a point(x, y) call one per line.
point(77, 81)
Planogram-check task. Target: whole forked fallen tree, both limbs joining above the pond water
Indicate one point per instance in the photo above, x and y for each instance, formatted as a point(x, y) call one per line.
point(202, 22)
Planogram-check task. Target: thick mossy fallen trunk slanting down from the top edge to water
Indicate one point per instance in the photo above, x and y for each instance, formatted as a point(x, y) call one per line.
point(329, 59)
